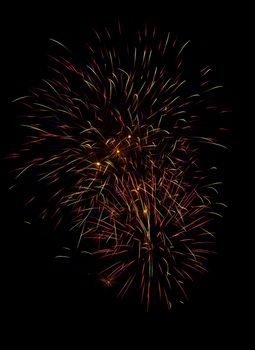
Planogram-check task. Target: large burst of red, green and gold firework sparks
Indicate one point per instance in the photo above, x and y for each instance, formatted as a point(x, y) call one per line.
point(115, 141)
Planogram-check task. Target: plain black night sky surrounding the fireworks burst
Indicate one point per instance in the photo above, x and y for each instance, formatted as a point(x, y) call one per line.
point(45, 298)
